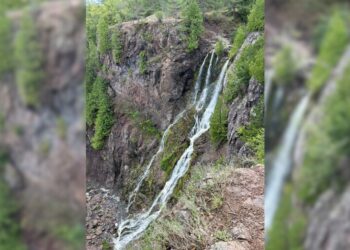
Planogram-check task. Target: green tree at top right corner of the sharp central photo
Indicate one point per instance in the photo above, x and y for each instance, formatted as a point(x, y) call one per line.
point(256, 18)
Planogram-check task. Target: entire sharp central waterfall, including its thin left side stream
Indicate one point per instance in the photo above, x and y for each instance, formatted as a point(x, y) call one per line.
point(131, 228)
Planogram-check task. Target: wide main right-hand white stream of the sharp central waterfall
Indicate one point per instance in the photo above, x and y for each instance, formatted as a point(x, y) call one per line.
point(131, 229)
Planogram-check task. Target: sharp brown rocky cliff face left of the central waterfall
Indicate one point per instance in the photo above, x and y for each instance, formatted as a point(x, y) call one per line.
point(157, 93)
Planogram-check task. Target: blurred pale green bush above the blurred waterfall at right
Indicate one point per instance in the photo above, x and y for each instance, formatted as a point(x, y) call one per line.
point(285, 66)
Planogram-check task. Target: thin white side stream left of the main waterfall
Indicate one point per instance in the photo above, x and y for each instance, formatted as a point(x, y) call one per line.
point(147, 170)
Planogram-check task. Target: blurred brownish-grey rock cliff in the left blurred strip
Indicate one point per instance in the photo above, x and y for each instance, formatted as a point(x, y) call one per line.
point(46, 144)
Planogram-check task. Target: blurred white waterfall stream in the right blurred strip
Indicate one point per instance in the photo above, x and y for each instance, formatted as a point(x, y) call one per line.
point(283, 161)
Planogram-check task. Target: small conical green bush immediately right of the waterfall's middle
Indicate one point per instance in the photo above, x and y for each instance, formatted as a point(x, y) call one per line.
point(219, 122)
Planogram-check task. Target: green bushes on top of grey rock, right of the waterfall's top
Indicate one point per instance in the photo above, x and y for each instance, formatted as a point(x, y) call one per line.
point(249, 64)
